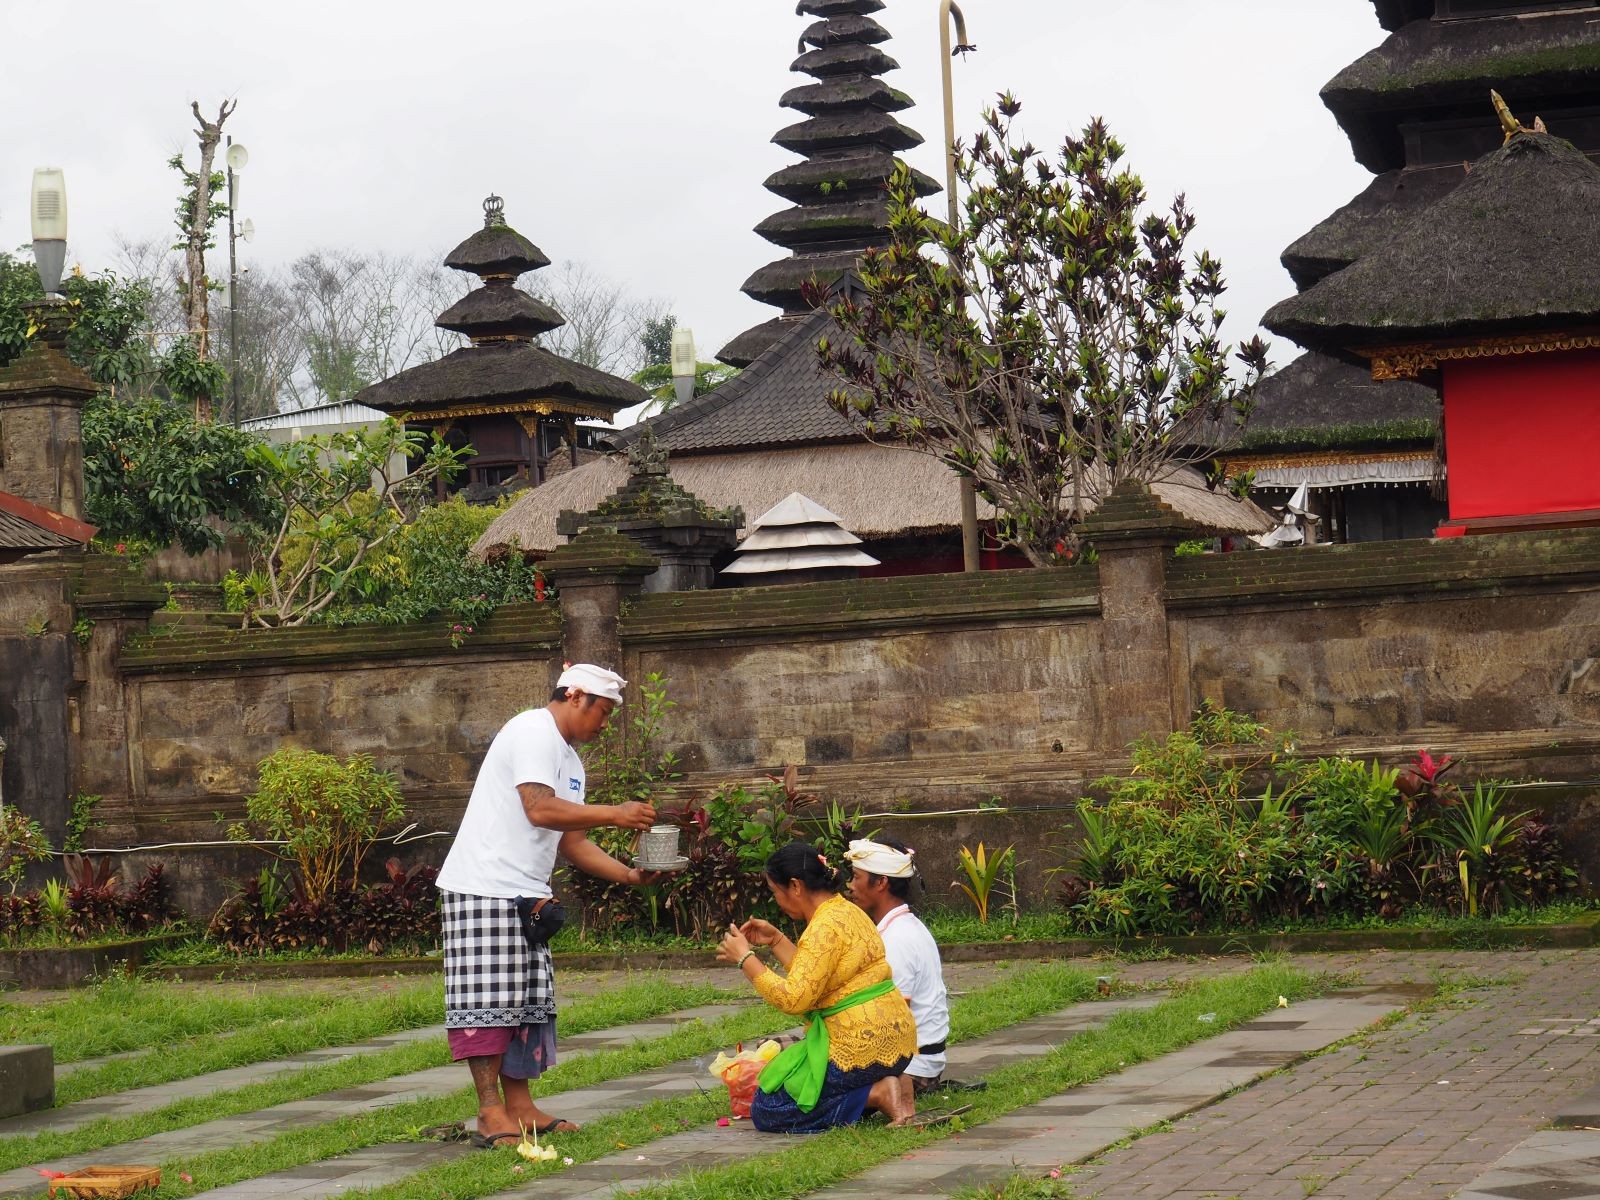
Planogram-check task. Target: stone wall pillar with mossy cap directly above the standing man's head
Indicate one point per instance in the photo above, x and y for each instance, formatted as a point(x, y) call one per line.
point(594, 575)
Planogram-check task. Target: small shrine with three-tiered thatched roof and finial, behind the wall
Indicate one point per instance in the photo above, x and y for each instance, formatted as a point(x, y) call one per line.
point(514, 402)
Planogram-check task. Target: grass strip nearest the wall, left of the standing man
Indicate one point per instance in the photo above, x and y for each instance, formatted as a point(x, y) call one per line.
point(121, 1014)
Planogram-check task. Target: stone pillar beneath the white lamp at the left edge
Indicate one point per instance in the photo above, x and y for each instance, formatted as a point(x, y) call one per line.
point(42, 398)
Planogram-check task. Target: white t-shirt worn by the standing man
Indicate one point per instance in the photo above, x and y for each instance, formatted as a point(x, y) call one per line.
point(498, 852)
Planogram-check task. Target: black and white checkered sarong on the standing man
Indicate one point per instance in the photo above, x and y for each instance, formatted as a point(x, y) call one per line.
point(492, 975)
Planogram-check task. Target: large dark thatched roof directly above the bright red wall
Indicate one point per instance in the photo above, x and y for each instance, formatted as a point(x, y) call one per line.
point(1514, 249)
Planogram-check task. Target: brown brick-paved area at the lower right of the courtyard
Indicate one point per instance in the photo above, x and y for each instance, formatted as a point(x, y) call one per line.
point(1410, 1113)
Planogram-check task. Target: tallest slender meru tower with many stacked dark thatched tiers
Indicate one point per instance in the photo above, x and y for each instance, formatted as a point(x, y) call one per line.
point(850, 142)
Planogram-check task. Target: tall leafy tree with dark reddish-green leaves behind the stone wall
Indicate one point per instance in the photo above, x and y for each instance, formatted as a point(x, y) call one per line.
point(1054, 345)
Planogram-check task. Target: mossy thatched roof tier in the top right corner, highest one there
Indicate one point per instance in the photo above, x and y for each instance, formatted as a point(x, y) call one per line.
point(1540, 62)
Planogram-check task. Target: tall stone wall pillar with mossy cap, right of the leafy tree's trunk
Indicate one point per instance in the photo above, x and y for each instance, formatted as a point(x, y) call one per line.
point(1134, 534)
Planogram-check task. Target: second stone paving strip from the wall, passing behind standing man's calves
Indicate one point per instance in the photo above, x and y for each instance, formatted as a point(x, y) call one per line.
point(298, 1114)
